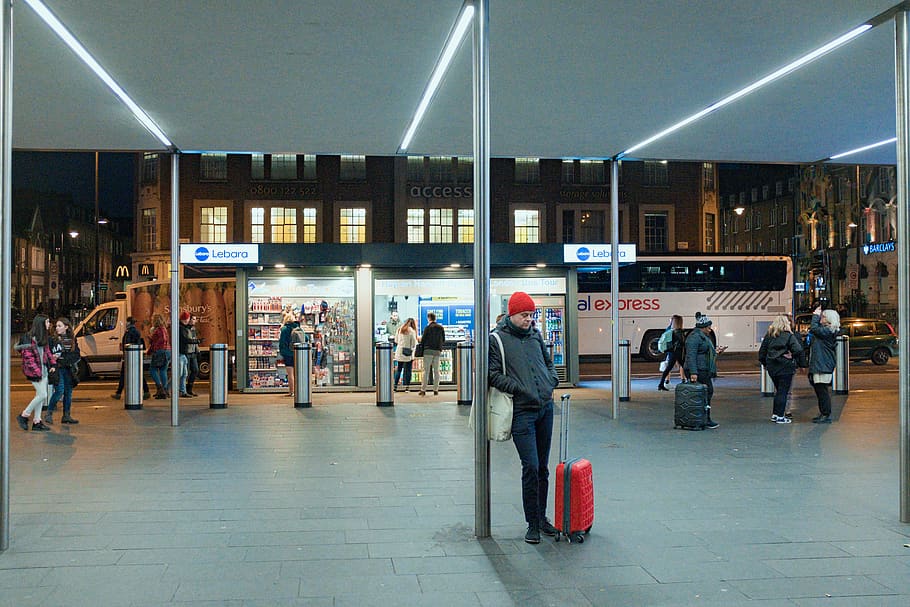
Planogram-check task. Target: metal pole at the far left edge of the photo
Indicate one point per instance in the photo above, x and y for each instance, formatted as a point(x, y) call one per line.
point(6, 152)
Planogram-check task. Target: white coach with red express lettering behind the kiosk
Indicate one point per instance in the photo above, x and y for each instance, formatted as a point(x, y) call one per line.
point(741, 294)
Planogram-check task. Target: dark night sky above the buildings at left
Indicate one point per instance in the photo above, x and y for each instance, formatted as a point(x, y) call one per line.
point(74, 173)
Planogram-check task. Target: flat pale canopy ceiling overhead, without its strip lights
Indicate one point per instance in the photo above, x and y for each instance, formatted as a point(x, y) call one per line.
point(587, 78)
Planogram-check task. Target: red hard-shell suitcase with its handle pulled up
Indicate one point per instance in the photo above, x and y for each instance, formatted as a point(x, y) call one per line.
point(574, 488)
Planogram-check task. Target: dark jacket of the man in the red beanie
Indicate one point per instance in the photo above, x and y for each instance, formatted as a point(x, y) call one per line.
point(529, 376)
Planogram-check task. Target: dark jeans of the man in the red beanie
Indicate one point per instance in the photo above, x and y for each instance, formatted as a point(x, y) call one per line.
point(532, 433)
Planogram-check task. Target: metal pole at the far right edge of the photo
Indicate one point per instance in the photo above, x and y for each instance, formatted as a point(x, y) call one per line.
point(902, 87)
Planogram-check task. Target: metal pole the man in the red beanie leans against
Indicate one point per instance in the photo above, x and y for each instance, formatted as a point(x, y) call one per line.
point(481, 82)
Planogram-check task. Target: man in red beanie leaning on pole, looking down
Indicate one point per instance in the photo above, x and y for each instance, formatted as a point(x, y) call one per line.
point(529, 376)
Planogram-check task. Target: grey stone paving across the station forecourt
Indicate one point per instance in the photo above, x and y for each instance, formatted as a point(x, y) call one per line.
point(347, 504)
